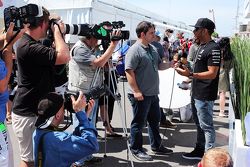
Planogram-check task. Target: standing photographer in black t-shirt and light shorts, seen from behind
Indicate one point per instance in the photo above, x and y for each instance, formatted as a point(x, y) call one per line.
point(36, 64)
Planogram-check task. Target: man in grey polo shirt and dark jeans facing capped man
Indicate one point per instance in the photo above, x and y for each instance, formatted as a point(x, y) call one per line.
point(143, 60)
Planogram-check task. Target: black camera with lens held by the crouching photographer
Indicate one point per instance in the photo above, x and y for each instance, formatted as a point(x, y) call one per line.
point(92, 93)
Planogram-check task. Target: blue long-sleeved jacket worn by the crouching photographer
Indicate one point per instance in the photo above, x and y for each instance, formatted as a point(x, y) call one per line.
point(62, 148)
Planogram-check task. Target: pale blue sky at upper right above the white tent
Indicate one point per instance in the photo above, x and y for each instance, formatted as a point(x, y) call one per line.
point(188, 11)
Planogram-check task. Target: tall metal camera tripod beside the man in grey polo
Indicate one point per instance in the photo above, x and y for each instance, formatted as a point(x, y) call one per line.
point(114, 93)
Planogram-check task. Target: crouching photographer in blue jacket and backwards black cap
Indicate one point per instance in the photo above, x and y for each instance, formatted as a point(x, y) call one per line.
point(53, 147)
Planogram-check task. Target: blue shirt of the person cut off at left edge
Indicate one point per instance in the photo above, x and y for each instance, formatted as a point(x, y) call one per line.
point(3, 96)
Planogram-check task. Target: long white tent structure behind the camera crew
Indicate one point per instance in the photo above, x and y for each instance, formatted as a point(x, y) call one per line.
point(97, 11)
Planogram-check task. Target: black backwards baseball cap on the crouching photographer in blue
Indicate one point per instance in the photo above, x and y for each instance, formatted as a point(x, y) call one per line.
point(48, 106)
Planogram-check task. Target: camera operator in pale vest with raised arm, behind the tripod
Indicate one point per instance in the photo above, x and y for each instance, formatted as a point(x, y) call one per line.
point(84, 64)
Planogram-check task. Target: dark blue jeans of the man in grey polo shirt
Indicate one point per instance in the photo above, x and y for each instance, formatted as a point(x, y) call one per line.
point(145, 111)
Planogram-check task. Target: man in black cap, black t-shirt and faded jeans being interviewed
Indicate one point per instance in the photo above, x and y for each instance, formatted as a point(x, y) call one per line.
point(204, 86)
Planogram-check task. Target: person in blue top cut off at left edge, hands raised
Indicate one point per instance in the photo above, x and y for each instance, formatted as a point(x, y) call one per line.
point(6, 64)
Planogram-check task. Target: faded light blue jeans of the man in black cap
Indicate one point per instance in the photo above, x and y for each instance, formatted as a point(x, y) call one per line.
point(203, 118)
